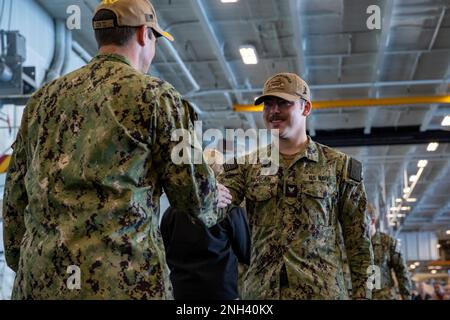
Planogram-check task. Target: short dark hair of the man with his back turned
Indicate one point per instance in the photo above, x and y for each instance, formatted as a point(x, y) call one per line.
point(118, 36)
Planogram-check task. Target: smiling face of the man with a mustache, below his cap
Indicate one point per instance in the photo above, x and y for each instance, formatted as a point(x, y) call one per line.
point(285, 116)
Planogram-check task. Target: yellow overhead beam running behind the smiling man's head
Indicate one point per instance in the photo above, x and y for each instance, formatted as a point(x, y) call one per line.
point(357, 103)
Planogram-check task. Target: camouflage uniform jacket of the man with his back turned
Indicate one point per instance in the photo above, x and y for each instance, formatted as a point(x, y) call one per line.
point(90, 161)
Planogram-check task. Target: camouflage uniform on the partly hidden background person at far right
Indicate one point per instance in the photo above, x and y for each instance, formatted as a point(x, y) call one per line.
point(388, 258)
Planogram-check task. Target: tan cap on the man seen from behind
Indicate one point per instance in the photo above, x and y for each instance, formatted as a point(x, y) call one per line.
point(131, 13)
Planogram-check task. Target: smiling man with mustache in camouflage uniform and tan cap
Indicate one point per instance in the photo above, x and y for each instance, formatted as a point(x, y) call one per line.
point(295, 214)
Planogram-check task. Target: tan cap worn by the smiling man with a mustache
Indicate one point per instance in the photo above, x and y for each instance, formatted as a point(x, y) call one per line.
point(287, 86)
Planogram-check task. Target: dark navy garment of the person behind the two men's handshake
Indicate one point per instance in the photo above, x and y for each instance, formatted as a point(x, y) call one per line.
point(203, 262)
